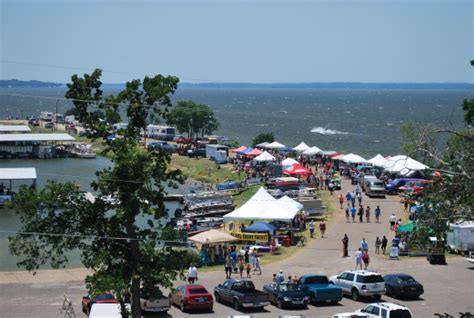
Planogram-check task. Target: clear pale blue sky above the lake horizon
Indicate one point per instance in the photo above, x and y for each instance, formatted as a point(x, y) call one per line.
point(239, 41)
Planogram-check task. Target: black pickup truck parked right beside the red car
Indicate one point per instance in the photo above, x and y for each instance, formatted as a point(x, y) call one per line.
point(241, 293)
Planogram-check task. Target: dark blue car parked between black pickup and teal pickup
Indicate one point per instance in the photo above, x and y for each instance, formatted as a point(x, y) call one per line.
point(286, 295)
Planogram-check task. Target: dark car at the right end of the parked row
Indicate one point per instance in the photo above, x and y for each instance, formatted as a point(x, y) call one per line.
point(402, 285)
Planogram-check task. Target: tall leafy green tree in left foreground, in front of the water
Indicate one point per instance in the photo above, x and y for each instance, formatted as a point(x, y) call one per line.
point(119, 234)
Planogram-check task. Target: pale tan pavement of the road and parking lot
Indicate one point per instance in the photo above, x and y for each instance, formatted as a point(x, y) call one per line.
point(447, 288)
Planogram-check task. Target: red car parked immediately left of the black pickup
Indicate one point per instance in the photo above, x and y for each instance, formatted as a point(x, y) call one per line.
point(191, 297)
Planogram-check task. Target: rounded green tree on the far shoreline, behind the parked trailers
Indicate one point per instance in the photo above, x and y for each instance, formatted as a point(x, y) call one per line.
point(193, 119)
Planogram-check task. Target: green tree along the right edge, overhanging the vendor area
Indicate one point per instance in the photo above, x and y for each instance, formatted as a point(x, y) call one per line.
point(451, 197)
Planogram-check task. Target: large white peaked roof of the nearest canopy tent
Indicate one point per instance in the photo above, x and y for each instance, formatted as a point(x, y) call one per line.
point(262, 206)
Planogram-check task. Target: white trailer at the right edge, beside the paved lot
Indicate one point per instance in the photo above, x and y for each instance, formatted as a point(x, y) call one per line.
point(461, 237)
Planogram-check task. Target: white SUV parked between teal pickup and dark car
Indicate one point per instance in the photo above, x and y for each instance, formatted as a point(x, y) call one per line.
point(360, 283)
